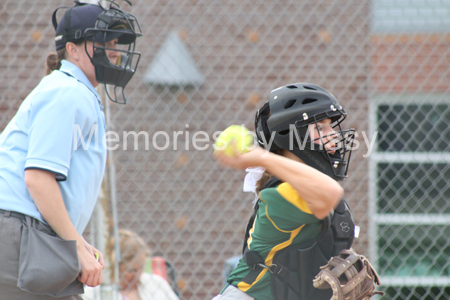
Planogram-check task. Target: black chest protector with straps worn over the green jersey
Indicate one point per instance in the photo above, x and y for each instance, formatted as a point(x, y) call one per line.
point(294, 267)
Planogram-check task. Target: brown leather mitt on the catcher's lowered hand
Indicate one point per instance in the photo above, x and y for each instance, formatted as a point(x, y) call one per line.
point(350, 276)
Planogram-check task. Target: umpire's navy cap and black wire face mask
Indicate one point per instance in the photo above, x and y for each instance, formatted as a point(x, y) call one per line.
point(99, 25)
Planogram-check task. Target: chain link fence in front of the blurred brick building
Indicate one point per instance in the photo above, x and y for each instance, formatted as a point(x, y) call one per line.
point(208, 64)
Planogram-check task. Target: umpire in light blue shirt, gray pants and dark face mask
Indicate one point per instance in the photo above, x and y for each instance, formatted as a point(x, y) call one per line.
point(53, 159)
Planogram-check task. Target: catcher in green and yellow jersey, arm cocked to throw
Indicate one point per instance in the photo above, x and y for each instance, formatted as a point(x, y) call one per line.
point(300, 218)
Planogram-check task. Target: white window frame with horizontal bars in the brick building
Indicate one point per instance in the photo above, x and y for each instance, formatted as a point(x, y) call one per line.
point(376, 219)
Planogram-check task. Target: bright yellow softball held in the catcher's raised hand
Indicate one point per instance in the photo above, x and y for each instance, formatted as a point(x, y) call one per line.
point(234, 141)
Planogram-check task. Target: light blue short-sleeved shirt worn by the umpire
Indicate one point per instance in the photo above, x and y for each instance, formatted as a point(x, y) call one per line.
point(59, 128)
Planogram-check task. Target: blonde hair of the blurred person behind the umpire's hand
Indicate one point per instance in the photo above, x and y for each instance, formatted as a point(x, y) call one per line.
point(131, 245)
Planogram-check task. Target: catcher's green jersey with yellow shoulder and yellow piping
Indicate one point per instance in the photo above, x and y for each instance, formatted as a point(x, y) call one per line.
point(282, 219)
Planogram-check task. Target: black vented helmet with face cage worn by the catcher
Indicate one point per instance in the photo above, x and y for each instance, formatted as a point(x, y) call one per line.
point(283, 123)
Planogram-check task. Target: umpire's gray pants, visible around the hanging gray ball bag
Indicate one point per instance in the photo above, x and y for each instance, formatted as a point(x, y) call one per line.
point(10, 237)
